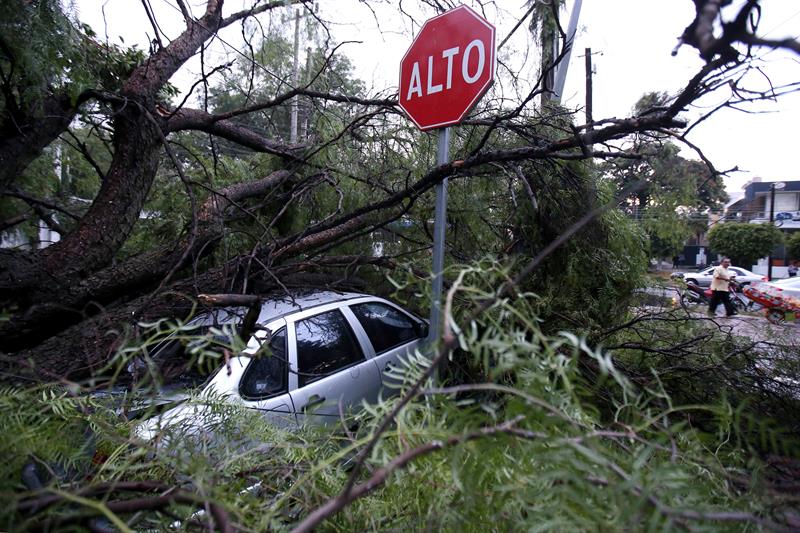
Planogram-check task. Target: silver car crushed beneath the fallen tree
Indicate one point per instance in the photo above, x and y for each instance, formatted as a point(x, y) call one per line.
point(325, 351)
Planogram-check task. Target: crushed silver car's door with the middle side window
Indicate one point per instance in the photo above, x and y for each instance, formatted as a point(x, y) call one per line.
point(329, 373)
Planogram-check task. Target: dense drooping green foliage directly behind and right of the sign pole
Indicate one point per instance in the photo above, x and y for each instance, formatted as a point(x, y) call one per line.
point(513, 212)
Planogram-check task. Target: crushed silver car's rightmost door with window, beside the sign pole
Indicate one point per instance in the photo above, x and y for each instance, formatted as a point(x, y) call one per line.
point(393, 335)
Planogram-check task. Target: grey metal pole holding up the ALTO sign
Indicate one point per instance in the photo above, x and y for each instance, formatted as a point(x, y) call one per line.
point(439, 226)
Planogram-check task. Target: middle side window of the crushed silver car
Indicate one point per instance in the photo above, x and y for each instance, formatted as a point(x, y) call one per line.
point(325, 344)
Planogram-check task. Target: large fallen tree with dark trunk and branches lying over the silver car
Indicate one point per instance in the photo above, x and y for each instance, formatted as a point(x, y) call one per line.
point(356, 173)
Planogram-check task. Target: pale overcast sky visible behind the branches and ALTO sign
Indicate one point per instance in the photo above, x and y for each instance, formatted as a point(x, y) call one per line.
point(631, 42)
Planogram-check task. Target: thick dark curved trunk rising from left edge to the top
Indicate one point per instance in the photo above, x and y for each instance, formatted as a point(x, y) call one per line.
point(34, 281)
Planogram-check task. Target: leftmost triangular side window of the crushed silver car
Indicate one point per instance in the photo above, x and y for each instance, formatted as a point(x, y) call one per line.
point(267, 374)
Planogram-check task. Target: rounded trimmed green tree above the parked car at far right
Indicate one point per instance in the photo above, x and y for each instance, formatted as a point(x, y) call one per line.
point(744, 243)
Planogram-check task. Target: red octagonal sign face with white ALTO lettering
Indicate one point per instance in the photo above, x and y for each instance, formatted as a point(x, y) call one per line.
point(447, 68)
